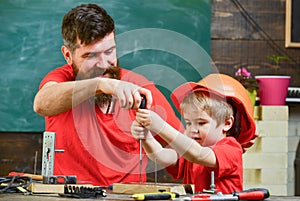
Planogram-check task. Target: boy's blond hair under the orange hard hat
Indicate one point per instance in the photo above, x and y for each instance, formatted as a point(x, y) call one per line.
point(216, 107)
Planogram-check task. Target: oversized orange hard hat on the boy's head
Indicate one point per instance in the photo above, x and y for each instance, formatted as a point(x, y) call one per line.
point(235, 94)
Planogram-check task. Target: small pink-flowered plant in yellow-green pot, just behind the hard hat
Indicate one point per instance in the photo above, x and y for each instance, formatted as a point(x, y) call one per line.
point(250, 83)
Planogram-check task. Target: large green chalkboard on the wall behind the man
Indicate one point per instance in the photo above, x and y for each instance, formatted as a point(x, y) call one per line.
point(168, 41)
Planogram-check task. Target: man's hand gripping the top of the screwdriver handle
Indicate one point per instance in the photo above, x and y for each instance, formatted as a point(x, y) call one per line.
point(128, 94)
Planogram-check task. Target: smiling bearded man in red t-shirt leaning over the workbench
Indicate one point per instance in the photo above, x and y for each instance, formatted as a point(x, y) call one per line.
point(90, 103)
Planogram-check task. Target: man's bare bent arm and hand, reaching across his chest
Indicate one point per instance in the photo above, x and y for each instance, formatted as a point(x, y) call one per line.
point(54, 98)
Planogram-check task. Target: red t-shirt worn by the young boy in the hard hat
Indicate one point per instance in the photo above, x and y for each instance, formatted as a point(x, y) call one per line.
point(228, 176)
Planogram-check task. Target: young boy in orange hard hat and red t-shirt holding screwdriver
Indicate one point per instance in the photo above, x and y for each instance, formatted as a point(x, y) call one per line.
point(218, 116)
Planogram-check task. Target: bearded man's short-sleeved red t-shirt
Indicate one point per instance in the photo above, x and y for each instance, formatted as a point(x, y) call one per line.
point(98, 147)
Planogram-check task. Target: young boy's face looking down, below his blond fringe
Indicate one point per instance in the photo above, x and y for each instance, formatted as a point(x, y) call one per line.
point(202, 128)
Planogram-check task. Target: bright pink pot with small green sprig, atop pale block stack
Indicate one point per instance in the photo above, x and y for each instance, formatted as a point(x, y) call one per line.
point(273, 88)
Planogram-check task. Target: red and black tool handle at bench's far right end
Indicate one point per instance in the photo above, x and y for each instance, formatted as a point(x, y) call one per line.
point(254, 194)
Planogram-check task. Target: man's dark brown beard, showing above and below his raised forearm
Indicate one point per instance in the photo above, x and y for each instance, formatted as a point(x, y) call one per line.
point(111, 72)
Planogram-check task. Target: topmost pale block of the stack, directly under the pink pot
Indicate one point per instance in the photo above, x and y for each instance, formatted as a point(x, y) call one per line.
point(275, 113)
